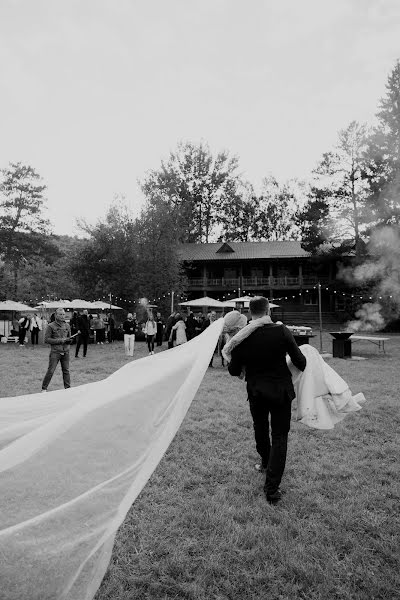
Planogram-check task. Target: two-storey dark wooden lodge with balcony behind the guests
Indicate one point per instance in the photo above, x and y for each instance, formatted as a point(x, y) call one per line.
point(282, 271)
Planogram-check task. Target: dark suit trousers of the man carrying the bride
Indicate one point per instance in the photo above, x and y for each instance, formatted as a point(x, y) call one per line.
point(271, 412)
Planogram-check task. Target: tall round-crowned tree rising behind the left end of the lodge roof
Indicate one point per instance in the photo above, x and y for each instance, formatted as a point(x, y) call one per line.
point(196, 187)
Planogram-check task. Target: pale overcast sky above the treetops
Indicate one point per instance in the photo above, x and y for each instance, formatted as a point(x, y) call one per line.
point(93, 93)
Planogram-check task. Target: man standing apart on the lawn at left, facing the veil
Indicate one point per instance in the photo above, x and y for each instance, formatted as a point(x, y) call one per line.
point(58, 335)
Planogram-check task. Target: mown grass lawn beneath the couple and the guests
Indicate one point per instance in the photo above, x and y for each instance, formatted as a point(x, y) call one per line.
point(202, 529)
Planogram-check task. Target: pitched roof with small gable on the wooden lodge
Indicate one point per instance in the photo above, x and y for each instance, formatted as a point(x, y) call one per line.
point(241, 251)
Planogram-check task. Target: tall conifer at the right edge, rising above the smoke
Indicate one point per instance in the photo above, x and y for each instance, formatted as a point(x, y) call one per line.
point(382, 157)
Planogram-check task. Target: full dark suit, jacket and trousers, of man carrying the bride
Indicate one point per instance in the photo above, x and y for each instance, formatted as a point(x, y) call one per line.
point(270, 392)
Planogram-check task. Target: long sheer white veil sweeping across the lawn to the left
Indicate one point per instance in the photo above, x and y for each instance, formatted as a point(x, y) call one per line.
point(73, 461)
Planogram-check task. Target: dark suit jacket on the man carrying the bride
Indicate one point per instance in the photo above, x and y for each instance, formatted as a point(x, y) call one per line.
point(263, 356)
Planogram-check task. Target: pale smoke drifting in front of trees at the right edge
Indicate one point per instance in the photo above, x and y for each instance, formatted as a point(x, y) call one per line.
point(381, 272)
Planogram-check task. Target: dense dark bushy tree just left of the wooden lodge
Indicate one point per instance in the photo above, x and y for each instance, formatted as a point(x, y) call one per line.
point(130, 257)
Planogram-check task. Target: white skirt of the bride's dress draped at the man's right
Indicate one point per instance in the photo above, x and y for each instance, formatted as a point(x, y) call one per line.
point(323, 397)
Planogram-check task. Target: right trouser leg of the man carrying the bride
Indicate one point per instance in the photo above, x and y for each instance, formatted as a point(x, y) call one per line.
point(280, 425)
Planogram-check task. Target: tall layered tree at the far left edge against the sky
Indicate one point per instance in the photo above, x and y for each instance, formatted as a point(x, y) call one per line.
point(23, 227)
